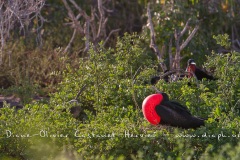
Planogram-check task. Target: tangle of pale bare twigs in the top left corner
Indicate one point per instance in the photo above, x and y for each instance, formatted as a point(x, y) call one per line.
point(21, 12)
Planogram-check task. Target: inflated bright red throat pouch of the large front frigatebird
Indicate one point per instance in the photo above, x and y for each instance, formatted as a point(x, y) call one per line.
point(148, 108)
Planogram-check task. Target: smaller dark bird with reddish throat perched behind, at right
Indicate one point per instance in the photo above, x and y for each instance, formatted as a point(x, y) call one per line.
point(200, 74)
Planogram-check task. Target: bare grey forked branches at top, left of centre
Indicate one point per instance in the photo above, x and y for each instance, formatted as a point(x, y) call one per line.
point(94, 28)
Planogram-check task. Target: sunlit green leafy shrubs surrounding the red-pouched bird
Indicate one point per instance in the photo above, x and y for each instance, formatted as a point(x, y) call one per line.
point(111, 125)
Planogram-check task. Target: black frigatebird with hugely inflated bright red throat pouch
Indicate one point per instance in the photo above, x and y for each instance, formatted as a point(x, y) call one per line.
point(158, 109)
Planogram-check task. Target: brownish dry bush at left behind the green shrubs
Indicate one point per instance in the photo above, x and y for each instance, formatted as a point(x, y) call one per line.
point(38, 69)
